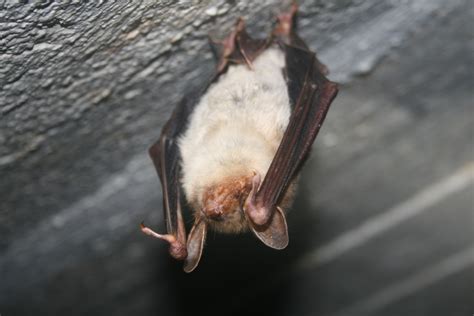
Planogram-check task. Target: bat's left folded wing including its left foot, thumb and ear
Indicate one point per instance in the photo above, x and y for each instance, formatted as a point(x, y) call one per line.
point(167, 160)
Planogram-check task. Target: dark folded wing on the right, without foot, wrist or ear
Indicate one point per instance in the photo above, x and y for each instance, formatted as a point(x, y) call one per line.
point(311, 94)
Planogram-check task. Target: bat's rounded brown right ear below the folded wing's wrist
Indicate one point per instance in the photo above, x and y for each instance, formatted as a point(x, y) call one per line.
point(275, 233)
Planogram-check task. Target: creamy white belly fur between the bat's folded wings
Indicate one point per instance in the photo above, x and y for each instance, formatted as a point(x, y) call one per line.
point(237, 126)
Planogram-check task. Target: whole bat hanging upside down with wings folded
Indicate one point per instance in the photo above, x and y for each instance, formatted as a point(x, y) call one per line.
point(233, 150)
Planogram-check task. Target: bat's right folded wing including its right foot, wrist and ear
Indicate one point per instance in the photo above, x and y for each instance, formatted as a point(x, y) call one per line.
point(311, 94)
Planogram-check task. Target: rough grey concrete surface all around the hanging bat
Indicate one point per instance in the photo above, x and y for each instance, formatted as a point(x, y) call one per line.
point(383, 222)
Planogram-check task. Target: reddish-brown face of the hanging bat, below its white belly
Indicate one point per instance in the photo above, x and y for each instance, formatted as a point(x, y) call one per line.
point(222, 204)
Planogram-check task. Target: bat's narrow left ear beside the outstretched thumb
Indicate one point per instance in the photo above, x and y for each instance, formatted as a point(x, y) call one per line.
point(195, 244)
